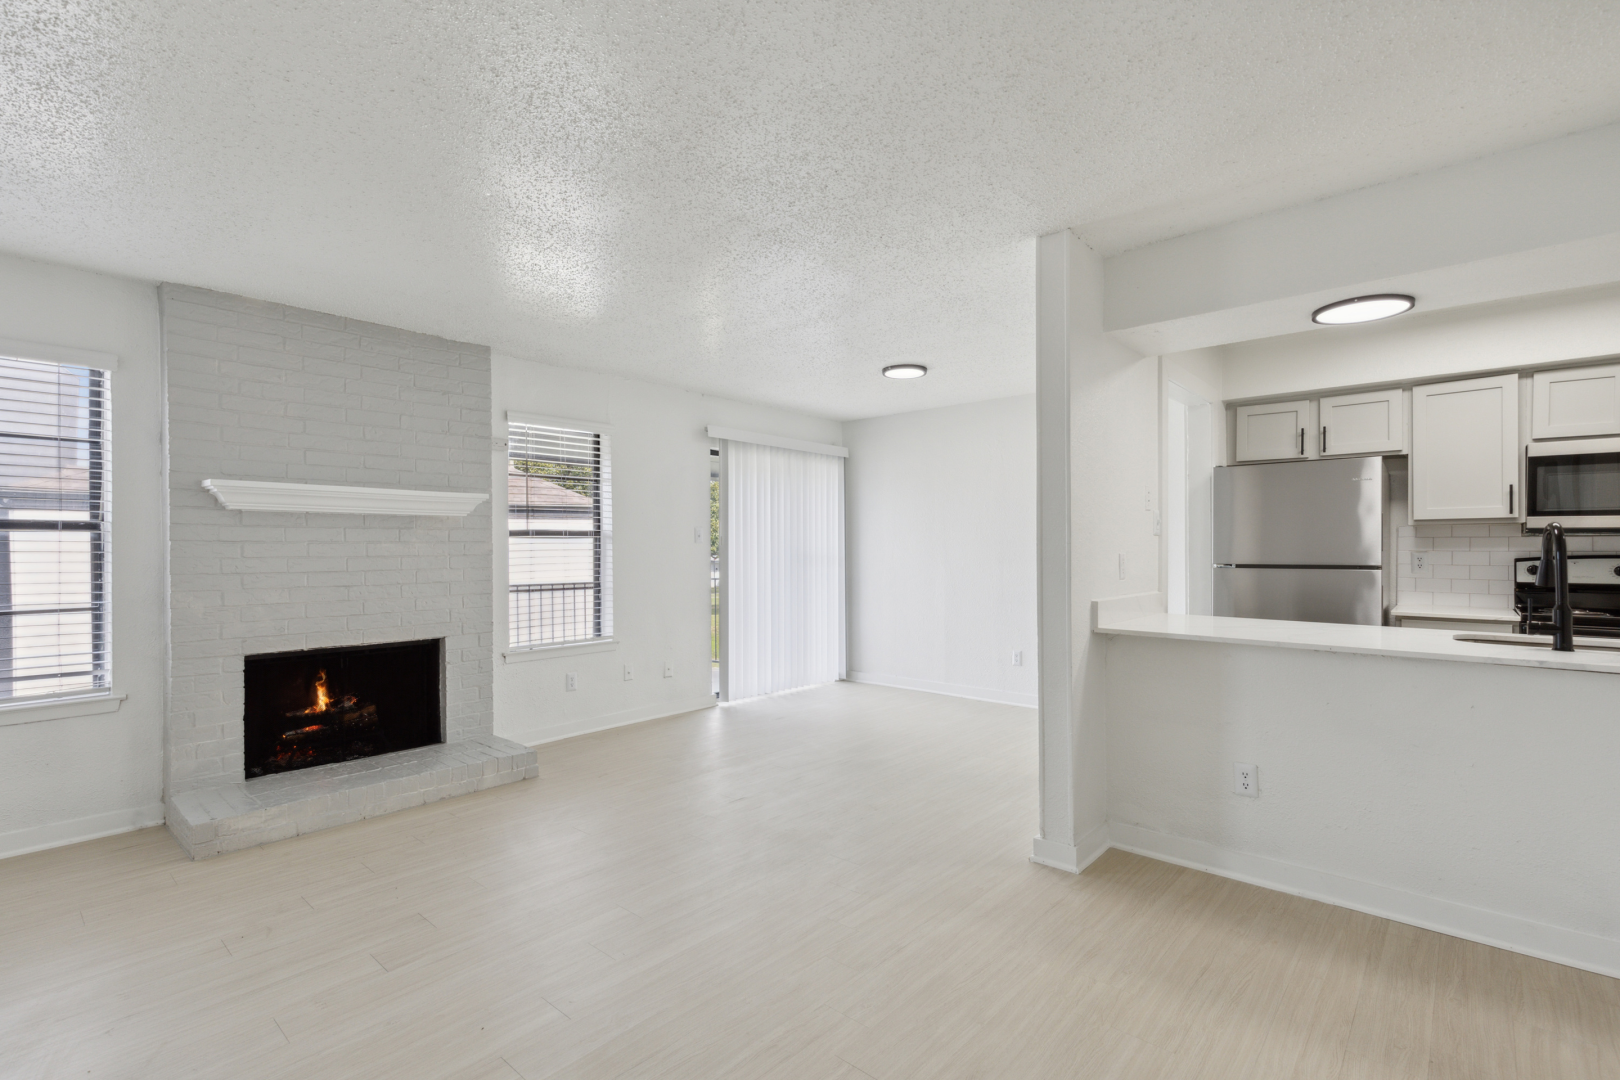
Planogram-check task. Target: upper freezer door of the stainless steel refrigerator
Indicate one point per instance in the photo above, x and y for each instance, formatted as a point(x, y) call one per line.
point(1302, 514)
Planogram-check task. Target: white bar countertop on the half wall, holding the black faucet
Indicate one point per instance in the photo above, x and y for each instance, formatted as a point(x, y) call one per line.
point(1326, 637)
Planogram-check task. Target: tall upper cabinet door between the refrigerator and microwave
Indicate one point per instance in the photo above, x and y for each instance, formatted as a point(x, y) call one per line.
point(1465, 449)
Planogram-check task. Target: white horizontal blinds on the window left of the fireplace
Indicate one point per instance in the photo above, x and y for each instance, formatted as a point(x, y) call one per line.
point(53, 529)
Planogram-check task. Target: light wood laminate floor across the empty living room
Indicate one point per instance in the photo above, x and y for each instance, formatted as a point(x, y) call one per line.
point(827, 885)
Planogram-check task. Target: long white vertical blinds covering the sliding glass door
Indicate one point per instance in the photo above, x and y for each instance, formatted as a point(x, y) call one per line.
point(785, 569)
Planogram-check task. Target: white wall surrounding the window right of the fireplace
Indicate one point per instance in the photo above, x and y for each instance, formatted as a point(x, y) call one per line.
point(660, 558)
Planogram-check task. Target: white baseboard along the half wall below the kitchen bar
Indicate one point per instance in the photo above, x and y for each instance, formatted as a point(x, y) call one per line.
point(1493, 929)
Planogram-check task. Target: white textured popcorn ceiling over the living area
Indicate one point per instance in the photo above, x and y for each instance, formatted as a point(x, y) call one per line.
point(759, 200)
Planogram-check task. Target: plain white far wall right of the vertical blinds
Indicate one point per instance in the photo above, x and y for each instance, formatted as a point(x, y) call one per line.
point(940, 512)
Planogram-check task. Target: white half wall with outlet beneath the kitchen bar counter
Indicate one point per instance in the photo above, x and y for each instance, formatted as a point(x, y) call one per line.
point(1470, 799)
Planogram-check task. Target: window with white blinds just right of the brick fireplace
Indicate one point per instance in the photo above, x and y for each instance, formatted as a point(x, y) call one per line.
point(560, 535)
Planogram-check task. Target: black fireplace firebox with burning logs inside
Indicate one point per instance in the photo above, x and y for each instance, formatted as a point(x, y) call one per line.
point(322, 707)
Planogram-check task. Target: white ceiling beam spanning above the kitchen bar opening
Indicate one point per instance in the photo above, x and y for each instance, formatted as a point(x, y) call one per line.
point(1516, 224)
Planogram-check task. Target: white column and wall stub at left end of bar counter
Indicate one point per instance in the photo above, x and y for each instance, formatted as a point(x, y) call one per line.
point(1098, 456)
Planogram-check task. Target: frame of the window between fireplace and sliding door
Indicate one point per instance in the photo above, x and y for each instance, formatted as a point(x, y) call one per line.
point(602, 534)
